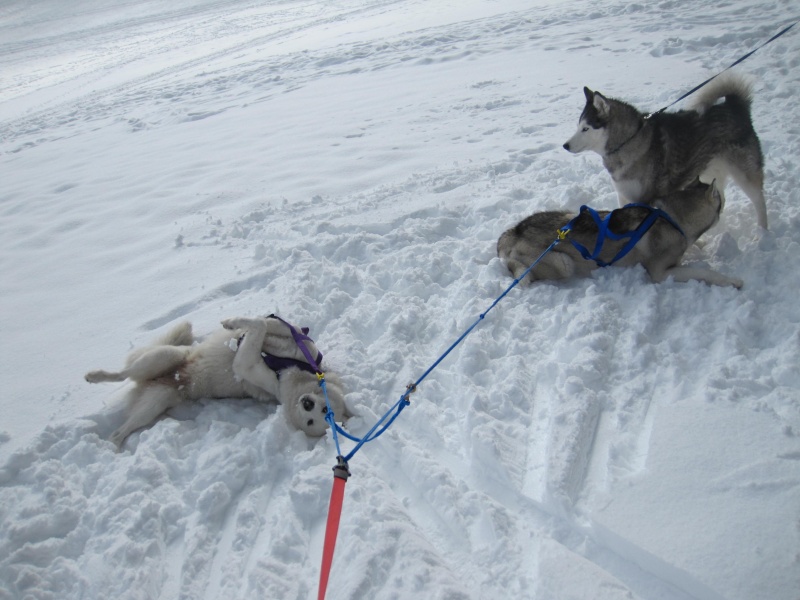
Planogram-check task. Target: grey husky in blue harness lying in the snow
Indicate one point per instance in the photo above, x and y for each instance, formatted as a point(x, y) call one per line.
point(660, 249)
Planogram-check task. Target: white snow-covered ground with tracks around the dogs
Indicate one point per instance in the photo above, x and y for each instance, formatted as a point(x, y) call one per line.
point(350, 165)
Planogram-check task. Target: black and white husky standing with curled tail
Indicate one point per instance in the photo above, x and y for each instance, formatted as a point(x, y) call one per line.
point(651, 156)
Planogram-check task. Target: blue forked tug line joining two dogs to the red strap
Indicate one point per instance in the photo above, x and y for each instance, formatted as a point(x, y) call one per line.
point(394, 412)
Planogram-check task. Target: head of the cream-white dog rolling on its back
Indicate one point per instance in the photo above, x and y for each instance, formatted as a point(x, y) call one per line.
point(304, 400)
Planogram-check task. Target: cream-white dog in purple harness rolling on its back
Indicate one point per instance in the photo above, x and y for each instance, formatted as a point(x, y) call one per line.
point(229, 363)
